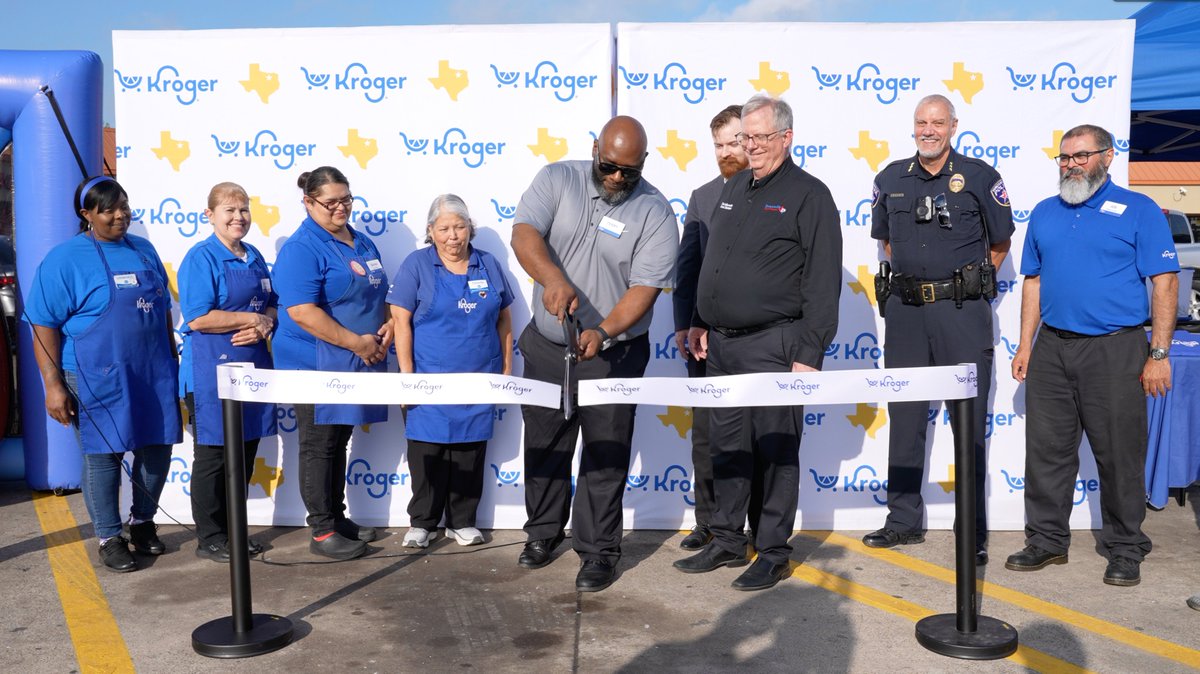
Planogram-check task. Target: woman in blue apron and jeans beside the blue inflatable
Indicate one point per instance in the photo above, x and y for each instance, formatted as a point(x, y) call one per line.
point(106, 348)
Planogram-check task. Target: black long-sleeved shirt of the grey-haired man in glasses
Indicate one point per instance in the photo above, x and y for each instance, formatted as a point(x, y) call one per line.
point(775, 252)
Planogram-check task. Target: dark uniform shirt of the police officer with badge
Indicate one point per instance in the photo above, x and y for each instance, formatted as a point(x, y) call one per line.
point(929, 250)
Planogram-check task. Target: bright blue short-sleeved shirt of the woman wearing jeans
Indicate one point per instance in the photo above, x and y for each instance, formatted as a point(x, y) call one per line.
point(71, 290)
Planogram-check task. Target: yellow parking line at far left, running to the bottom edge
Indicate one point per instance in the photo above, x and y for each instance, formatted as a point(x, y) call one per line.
point(98, 641)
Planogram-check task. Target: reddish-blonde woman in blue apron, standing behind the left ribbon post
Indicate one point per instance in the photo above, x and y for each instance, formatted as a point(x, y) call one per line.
point(229, 306)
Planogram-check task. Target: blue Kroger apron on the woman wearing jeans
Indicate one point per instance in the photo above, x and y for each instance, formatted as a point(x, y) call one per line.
point(127, 372)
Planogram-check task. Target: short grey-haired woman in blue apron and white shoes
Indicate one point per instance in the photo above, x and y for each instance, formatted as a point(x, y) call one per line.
point(451, 308)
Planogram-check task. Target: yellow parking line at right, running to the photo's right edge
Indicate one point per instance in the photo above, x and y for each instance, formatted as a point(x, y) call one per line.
point(1102, 628)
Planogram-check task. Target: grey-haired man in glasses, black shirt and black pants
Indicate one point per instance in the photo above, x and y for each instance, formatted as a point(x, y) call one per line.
point(769, 290)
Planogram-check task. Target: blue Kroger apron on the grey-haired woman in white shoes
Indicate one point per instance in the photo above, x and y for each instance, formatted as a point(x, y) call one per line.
point(457, 333)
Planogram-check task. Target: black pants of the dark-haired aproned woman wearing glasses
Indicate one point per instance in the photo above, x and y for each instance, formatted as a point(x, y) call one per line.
point(322, 470)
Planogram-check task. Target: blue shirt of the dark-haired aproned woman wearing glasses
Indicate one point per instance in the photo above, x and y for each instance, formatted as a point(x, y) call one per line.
point(310, 270)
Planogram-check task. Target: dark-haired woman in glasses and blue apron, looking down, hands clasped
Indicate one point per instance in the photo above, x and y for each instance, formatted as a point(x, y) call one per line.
point(332, 285)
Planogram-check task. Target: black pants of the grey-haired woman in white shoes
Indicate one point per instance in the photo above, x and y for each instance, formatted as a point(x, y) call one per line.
point(448, 479)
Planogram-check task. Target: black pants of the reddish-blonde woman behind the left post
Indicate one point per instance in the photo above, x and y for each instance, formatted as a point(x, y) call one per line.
point(208, 485)
